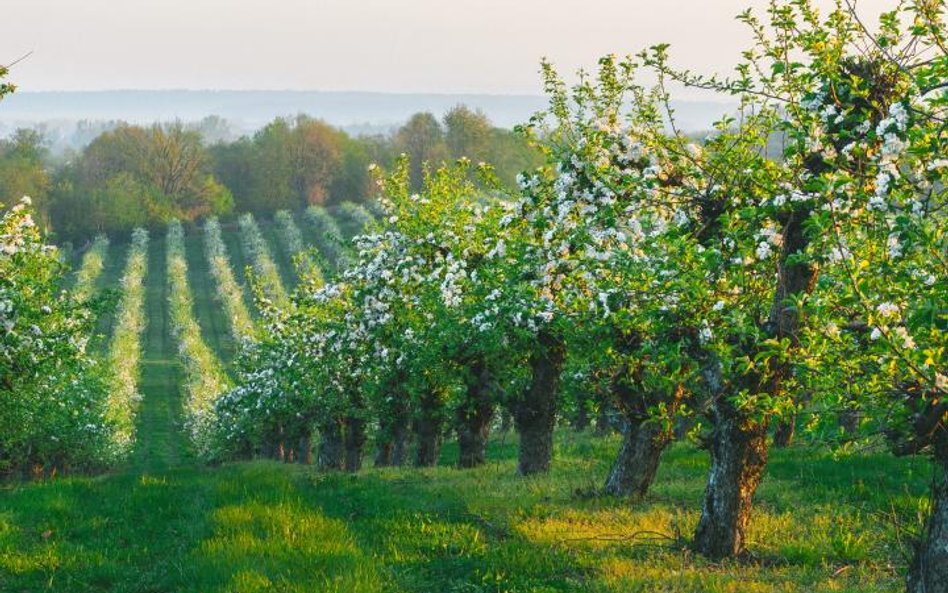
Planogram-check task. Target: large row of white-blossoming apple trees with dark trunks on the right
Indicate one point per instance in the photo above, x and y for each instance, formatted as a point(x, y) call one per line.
point(712, 287)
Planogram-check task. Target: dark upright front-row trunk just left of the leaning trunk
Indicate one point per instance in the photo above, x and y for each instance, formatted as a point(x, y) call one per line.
point(535, 412)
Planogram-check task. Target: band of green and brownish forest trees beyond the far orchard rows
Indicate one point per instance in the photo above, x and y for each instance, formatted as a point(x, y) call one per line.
point(132, 175)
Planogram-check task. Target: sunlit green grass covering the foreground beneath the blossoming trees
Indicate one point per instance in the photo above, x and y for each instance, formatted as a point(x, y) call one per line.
point(820, 525)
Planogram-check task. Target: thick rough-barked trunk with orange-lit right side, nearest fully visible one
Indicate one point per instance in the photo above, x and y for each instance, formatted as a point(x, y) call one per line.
point(738, 458)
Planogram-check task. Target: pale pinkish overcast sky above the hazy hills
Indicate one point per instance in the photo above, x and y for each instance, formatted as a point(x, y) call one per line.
point(460, 46)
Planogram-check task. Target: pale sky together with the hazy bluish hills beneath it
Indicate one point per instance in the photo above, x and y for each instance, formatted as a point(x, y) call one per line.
point(364, 66)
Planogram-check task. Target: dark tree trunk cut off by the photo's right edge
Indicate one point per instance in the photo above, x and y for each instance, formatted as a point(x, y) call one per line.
point(928, 572)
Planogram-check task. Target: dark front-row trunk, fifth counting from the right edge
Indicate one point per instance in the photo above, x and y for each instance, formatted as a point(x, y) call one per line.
point(474, 415)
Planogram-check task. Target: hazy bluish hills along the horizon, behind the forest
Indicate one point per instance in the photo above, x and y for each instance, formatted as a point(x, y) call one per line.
point(356, 112)
